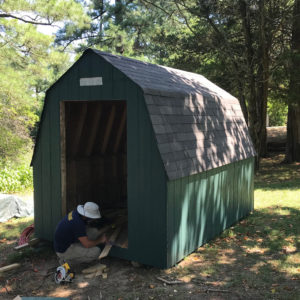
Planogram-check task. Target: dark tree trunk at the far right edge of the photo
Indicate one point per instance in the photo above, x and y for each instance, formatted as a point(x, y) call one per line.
point(293, 125)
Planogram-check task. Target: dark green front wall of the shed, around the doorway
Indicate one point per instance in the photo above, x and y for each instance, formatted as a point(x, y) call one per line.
point(146, 175)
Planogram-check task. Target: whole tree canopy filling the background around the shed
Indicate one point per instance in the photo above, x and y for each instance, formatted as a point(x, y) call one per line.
point(248, 47)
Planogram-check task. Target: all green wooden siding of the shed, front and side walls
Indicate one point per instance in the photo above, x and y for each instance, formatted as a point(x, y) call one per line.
point(167, 220)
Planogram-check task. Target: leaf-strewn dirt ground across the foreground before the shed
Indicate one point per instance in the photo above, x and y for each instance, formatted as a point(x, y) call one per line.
point(208, 273)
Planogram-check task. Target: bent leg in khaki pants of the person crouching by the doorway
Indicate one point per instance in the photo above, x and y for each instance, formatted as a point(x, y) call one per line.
point(77, 254)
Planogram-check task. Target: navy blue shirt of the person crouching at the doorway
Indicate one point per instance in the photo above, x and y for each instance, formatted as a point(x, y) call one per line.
point(68, 230)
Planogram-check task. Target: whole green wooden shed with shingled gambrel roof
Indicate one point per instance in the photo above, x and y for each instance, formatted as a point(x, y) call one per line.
point(169, 146)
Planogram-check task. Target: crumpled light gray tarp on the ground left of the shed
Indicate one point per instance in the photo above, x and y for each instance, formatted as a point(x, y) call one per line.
point(12, 206)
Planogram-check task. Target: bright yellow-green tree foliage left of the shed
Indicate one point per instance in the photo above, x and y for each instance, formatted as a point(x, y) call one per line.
point(29, 64)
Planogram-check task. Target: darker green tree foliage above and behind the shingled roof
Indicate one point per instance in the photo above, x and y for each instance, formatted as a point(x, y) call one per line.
point(217, 39)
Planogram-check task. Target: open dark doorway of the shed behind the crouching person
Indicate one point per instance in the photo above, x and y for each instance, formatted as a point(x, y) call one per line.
point(94, 159)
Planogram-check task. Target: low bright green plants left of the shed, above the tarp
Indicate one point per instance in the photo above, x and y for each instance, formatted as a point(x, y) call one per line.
point(14, 179)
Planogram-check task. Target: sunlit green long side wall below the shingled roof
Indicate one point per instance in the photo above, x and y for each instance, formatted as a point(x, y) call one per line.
point(201, 206)
